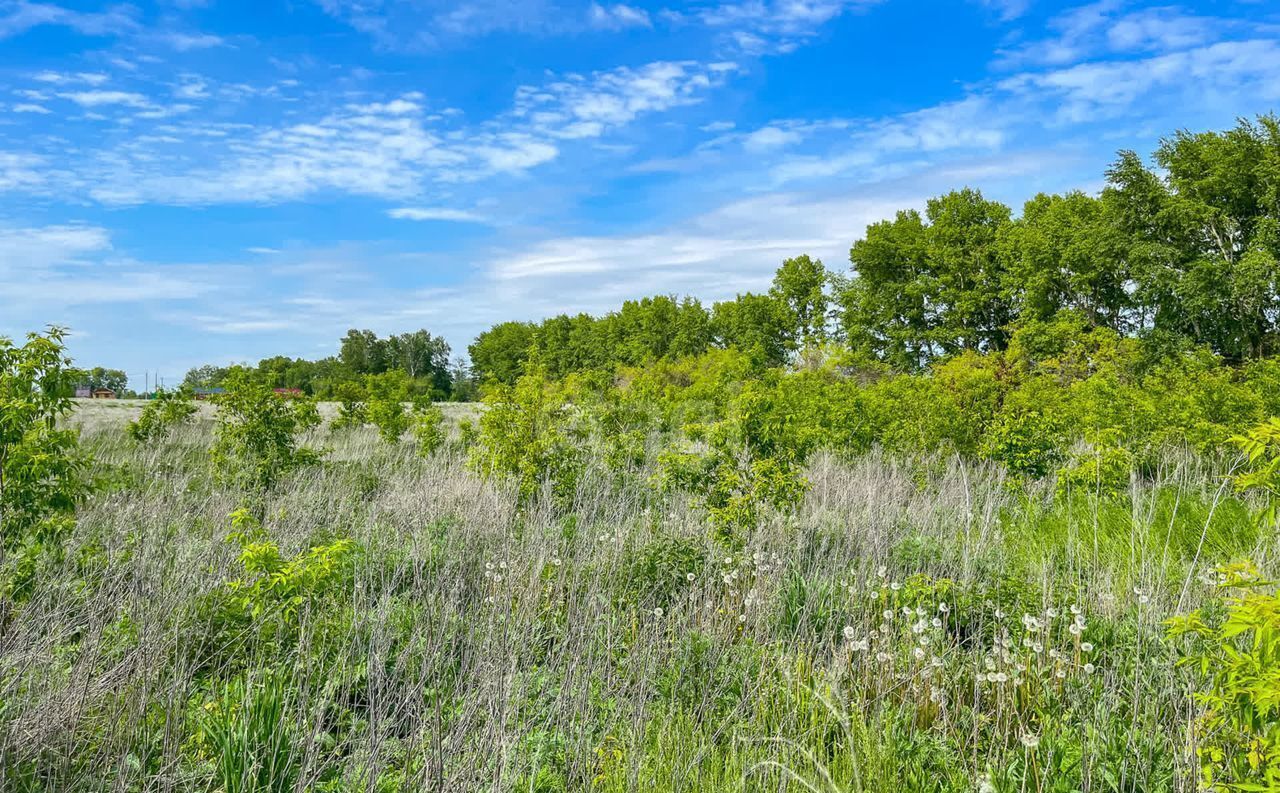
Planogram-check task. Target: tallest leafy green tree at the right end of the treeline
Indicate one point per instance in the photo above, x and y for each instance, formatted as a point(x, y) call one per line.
point(1206, 233)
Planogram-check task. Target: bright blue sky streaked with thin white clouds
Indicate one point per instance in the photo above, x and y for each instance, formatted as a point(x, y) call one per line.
point(212, 181)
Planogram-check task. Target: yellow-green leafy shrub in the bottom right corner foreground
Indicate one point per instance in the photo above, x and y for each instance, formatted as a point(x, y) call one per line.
point(1238, 730)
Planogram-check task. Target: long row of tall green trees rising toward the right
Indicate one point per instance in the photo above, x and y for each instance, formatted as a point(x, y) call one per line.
point(1180, 253)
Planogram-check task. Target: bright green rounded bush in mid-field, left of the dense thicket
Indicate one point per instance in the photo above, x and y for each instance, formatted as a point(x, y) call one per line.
point(525, 436)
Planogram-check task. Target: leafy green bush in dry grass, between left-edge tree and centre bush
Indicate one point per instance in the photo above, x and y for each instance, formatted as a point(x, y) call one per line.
point(258, 433)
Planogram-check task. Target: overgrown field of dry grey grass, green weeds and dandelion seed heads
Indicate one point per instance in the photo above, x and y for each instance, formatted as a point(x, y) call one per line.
point(501, 615)
